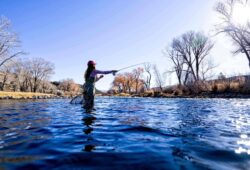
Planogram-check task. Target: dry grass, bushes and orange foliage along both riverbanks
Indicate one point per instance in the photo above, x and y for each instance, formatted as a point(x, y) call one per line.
point(232, 87)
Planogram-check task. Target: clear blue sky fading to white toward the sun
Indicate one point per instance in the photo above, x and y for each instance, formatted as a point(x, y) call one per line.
point(114, 33)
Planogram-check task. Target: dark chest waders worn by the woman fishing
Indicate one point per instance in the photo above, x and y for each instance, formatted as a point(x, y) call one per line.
point(89, 94)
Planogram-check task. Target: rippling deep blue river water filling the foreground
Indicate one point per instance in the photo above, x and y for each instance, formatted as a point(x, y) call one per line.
point(126, 133)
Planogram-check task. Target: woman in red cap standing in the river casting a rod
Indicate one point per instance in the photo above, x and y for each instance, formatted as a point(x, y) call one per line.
point(89, 86)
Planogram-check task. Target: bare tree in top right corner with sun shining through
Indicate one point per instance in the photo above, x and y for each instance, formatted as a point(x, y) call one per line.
point(239, 33)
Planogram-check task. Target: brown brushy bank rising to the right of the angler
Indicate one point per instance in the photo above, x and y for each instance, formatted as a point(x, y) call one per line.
point(232, 87)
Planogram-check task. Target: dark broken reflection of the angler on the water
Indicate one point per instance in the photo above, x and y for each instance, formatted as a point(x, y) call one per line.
point(87, 122)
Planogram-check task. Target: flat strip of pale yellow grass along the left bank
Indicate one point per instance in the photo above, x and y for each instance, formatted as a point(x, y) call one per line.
point(23, 95)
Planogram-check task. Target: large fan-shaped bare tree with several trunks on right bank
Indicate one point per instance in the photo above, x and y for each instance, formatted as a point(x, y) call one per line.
point(188, 53)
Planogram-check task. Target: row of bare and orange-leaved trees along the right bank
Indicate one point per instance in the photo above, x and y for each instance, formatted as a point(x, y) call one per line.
point(189, 55)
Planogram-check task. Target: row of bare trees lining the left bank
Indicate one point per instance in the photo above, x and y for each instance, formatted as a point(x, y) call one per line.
point(27, 74)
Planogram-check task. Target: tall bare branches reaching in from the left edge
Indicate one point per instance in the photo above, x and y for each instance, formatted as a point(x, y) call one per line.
point(8, 42)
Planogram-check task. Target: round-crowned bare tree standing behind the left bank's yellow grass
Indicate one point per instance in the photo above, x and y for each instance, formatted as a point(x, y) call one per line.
point(39, 70)
